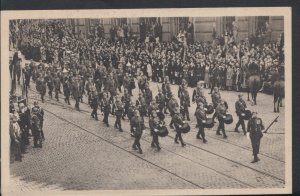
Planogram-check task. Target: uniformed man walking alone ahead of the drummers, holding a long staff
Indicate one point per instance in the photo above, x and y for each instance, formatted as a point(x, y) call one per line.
point(254, 128)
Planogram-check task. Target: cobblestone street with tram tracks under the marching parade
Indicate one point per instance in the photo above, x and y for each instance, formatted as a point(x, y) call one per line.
point(80, 153)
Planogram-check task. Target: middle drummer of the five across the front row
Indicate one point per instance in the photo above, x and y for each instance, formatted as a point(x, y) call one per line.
point(201, 119)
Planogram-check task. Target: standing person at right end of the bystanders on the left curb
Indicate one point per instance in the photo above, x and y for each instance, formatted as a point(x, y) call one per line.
point(36, 128)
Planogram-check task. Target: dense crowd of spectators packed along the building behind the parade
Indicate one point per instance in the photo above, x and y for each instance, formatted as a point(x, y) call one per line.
point(56, 43)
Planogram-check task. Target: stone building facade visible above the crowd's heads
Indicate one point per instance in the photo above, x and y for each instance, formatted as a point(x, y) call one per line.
point(203, 26)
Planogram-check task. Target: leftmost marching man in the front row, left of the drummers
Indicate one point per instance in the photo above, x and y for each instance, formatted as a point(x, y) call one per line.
point(137, 127)
